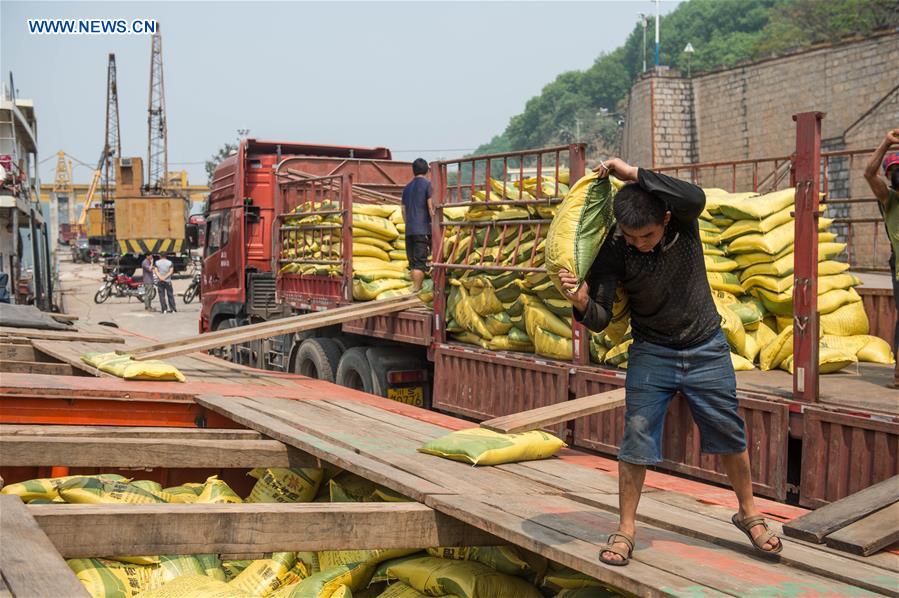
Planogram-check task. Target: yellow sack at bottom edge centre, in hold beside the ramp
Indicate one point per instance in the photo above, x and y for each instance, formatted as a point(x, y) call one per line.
point(465, 579)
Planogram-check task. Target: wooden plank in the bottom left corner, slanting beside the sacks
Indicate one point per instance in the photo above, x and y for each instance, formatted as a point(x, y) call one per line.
point(29, 563)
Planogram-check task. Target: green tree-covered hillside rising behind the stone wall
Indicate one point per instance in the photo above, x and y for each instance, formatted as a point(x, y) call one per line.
point(583, 105)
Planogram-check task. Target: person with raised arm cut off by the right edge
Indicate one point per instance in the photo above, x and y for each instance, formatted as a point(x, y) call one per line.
point(887, 195)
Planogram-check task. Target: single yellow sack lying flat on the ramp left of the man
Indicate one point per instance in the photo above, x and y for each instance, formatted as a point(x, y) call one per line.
point(479, 446)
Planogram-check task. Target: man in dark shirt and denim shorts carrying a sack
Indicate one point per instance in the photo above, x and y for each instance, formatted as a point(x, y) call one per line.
point(655, 253)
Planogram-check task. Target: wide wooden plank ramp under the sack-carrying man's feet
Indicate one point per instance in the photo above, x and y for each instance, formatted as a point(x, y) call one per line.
point(560, 510)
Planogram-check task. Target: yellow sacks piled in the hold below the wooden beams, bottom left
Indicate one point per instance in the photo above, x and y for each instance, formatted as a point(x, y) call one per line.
point(474, 572)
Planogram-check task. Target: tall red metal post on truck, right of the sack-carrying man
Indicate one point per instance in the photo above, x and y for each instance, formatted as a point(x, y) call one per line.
point(806, 174)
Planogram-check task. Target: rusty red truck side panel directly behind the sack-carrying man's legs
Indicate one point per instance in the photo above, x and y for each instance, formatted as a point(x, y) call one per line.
point(766, 435)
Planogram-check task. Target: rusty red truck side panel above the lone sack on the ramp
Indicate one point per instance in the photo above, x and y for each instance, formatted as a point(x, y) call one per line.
point(483, 384)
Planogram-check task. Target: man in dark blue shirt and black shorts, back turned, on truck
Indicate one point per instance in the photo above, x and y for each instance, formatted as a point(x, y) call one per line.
point(417, 210)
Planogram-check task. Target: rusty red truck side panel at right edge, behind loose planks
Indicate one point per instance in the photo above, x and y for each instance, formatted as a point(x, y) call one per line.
point(842, 454)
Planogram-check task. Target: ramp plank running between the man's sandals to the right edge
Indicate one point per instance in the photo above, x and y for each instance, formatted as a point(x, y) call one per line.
point(694, 525)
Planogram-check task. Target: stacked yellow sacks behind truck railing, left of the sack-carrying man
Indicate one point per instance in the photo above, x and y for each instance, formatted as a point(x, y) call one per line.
point(507, 311)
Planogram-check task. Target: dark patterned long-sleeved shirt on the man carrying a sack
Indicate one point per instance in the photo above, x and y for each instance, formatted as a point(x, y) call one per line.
point(670, 298)
